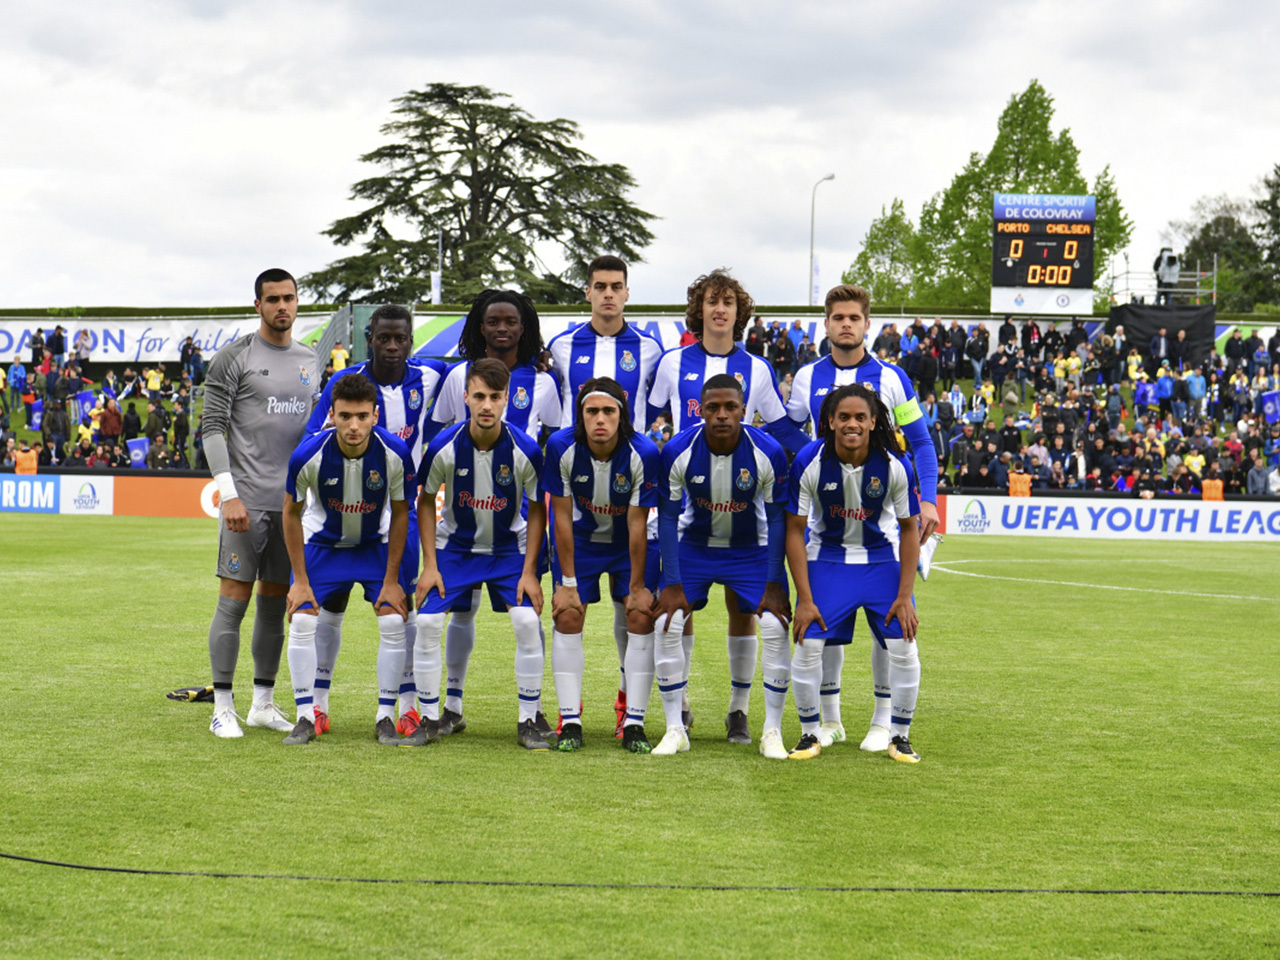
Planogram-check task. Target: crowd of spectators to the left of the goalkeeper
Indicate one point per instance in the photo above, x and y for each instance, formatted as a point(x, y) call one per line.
point(80, 423)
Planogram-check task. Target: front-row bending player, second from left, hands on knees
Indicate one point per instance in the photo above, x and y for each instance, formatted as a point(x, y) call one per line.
point(490, 474)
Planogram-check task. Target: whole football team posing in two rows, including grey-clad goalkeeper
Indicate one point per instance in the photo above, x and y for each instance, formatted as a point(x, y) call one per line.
point(437, 488)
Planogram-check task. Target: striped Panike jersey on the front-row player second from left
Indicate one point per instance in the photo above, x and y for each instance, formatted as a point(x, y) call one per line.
point(484, 491)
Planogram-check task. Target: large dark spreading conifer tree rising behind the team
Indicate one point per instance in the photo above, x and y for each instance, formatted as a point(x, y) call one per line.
point(505, 189)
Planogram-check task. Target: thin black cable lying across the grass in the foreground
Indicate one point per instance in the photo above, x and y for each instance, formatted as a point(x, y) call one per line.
point(693, 888)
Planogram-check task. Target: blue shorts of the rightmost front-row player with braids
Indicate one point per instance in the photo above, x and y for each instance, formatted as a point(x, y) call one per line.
point(842, 589)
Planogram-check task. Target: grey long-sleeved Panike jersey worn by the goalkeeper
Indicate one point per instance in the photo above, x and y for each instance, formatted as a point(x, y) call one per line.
point(259, 396)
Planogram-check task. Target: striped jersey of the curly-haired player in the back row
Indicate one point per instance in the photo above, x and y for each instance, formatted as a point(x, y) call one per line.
point(684, 371)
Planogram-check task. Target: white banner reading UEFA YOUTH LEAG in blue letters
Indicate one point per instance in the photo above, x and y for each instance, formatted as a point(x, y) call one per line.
point(1112, 519)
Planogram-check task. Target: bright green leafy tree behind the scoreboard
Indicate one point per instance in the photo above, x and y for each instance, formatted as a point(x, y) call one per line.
point(952, 248)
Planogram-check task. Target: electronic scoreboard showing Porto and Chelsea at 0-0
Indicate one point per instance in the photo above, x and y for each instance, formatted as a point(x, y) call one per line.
point(1043, 254)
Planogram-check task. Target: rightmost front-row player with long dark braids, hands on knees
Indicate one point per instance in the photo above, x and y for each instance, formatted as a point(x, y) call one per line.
point(857, 499)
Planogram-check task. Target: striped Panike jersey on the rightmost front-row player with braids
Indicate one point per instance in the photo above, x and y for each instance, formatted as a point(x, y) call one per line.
point(853, 513)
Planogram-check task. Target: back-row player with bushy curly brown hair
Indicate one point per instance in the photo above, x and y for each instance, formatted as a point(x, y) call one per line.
point(717, 313)
